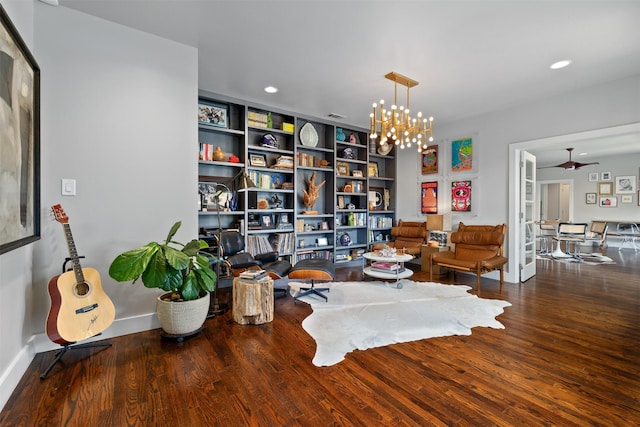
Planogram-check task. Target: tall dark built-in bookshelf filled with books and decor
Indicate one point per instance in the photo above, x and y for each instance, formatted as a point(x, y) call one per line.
point(283, 153)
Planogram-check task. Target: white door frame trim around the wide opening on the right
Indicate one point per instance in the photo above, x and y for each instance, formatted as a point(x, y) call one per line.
point(513, 249)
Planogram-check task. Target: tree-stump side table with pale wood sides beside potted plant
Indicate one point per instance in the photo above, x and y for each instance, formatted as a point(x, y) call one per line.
point(252, 301)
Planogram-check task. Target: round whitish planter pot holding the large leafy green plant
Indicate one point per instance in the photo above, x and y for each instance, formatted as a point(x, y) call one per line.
point(182, 317)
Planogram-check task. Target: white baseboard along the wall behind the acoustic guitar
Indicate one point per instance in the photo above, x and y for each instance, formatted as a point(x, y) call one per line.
point(39, 343)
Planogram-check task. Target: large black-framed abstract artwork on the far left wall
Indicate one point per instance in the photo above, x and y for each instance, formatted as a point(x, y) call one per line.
point(20, 223)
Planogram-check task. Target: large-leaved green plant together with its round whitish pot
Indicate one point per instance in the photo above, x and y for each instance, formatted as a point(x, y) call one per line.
point(181, 270)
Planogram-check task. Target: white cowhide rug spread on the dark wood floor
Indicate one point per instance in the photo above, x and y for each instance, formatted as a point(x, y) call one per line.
point(363, 315)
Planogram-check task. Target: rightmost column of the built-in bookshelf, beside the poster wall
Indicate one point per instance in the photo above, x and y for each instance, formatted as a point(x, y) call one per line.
point(381, 196)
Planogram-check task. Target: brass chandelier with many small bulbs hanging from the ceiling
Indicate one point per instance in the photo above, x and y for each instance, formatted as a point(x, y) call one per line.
point(396, 126)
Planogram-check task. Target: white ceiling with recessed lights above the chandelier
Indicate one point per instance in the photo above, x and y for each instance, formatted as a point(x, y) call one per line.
point(470, 57)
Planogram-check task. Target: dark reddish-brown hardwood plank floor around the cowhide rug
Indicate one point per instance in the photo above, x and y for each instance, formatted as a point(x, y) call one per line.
point(569, 356)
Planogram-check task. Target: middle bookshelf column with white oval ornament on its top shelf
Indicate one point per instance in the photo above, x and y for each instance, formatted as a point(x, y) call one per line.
point(314, 190)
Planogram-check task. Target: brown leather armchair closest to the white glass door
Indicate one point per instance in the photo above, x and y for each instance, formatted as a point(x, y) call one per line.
point(478, 249)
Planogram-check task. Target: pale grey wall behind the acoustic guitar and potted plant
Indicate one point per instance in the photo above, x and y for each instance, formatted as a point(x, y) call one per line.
point(118, 109)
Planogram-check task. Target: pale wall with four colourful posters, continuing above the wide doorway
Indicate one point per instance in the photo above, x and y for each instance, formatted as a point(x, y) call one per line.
point(606, 105)
